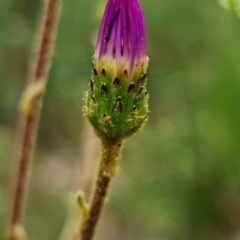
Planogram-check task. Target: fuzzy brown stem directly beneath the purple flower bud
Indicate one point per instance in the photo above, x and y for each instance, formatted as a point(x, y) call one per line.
point(108, 165)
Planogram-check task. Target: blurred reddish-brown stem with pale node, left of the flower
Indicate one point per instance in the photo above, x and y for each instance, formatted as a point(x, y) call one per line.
point(30, 110)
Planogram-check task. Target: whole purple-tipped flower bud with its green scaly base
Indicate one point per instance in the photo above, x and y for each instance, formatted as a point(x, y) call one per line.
point(117, 101)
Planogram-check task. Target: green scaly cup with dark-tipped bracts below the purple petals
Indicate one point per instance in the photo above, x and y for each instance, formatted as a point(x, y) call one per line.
point(115, 106)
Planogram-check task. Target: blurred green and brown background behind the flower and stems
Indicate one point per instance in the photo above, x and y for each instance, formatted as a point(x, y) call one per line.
point(180, 177)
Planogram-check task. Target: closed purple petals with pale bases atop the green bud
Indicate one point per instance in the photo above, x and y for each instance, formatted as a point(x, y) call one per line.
point(122, 36)
